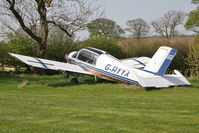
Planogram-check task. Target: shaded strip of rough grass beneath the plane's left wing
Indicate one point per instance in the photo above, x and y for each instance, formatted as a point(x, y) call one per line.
point(52, 81)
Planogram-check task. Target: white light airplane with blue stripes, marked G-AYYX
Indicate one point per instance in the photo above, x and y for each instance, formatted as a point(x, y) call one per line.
point(144, 71)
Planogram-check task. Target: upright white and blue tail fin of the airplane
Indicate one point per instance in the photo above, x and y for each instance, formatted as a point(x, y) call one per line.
point(161, 60)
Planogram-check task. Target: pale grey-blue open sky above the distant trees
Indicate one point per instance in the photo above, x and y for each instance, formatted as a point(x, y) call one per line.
point(122, 10)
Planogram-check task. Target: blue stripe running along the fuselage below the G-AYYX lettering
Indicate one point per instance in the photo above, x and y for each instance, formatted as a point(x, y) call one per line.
point(104, 72)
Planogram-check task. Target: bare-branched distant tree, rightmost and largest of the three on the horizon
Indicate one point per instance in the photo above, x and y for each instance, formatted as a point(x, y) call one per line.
point(166, 25)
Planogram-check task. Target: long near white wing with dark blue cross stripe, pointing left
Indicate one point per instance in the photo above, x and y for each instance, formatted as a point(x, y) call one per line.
point(49, 64)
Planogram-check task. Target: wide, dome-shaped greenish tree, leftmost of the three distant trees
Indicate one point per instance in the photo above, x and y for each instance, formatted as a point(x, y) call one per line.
point(104, 27)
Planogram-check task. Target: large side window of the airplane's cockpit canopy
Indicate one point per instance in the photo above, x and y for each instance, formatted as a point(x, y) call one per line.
point(87, 57)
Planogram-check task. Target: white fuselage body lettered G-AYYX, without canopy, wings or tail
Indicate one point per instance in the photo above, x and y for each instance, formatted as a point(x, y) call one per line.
point(109, 67)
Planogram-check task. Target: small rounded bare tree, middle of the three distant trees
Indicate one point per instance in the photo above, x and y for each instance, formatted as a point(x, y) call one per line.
point(138, 27)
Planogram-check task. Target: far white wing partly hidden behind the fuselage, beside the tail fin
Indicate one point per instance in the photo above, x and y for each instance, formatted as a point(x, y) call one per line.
point(136, 62)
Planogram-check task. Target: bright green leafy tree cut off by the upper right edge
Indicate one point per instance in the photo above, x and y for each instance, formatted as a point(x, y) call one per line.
point(192, 22)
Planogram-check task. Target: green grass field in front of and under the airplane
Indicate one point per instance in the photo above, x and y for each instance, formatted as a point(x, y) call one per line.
point(32, 103)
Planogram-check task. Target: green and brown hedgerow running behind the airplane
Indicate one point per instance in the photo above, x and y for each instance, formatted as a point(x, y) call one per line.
point(59, 45)
